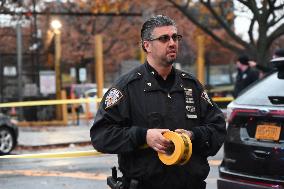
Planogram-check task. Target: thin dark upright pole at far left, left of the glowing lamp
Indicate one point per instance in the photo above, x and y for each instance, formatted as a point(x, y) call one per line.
point(19, 65)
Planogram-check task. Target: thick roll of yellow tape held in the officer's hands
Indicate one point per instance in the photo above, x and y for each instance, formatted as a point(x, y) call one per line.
point(181, 151)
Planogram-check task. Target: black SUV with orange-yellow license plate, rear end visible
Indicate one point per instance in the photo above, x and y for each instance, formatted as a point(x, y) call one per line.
point(254, 146)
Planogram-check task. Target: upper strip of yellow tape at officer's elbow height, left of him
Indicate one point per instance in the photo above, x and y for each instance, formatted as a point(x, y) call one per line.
point(49, 102)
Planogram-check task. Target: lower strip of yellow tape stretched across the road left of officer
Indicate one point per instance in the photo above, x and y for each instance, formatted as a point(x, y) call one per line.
point(54, 155)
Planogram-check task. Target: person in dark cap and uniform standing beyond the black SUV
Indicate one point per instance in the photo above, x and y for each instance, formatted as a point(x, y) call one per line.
point(246, 74)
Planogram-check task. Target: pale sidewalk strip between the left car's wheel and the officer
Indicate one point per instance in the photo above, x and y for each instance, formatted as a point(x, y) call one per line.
point(44, 136)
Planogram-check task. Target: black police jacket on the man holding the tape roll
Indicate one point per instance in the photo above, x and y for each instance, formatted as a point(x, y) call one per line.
point(135, 103)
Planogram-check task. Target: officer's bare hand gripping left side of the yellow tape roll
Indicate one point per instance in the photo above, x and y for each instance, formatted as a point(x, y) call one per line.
point(157, 141)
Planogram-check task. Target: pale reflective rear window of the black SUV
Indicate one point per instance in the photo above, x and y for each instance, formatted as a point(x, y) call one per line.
point(259, 93)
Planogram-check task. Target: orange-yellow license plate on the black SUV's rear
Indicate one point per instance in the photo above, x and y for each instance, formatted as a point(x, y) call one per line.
point(267, 132)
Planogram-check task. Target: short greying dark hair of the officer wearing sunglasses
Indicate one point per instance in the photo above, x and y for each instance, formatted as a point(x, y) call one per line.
point(152, 23)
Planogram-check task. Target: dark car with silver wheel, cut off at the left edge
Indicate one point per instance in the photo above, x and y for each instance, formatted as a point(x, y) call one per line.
point(8, 134)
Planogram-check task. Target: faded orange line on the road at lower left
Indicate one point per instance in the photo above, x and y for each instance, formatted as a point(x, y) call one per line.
point(41, 173)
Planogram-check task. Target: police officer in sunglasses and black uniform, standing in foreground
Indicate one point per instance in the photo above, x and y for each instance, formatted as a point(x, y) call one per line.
point(149, 100)
